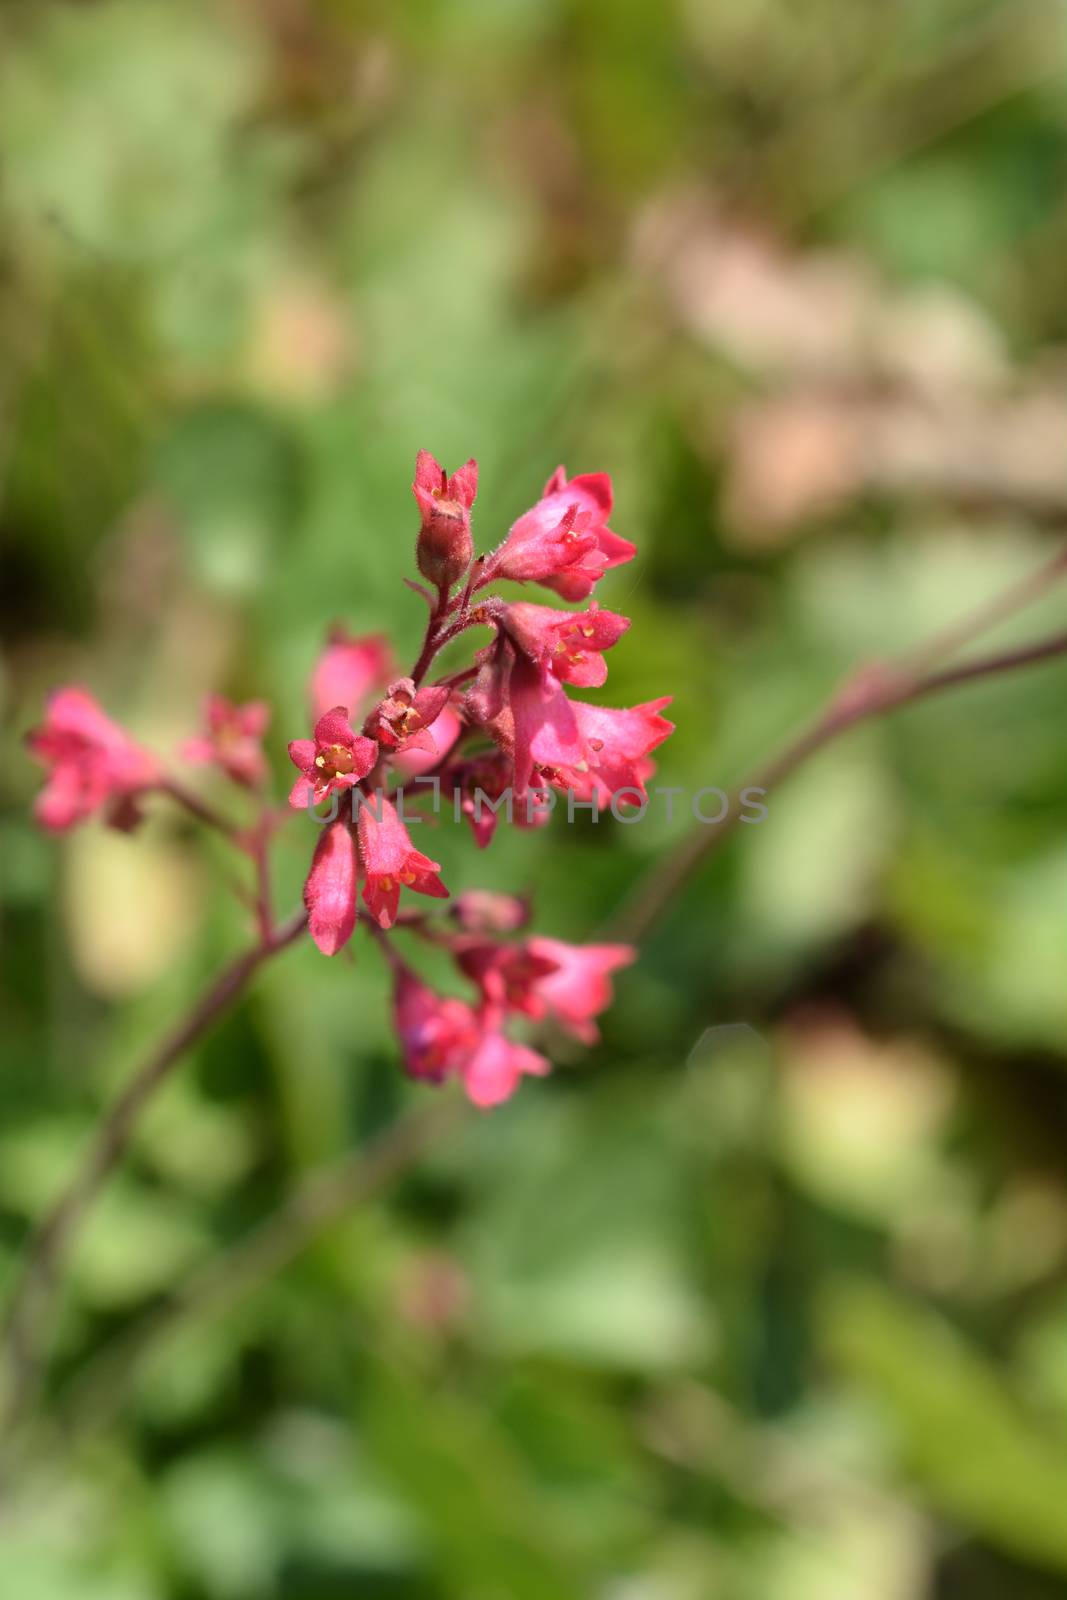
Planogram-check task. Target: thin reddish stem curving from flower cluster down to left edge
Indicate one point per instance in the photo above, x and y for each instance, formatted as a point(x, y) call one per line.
point(22, 1334)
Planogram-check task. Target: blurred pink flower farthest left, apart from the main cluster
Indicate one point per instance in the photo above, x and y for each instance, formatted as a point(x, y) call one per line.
point(92, 761)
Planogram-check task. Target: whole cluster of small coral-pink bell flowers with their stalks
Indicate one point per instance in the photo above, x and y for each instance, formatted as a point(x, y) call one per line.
point(503, 722)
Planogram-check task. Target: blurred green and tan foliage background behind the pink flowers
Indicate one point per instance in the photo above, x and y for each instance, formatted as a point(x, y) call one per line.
point(777, 1313)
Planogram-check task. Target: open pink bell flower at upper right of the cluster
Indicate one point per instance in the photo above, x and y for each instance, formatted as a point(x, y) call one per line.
point(564, 542)
